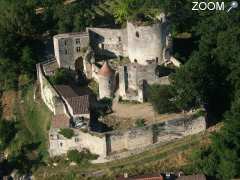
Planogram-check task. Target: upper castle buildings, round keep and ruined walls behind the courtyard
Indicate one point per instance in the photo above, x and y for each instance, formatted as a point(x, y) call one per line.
point(145, 45)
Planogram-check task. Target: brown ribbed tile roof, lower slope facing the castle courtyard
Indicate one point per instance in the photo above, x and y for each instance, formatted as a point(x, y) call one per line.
point(79, 104)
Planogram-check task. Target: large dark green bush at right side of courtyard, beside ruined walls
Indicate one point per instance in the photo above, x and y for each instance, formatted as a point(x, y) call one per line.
point(161, 97)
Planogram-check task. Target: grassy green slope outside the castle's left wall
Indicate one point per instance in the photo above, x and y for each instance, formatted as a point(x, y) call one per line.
point(33, 122)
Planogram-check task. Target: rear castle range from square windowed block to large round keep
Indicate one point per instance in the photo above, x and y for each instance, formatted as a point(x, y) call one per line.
point(142, 44)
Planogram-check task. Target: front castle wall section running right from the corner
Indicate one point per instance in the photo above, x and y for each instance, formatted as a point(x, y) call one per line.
point(157, 133)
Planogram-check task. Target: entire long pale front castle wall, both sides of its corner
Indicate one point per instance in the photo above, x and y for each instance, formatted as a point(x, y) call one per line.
point(117, 144)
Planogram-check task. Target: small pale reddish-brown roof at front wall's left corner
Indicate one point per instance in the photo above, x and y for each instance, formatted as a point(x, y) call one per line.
point(60, 121)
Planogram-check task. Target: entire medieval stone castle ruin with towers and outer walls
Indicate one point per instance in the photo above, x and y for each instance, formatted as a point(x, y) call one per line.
point(90, 53)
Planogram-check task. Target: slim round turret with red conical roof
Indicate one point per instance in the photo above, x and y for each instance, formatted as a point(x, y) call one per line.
point(105, 80)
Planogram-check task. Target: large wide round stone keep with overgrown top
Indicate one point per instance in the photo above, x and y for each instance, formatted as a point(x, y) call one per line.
point(146, 43)
